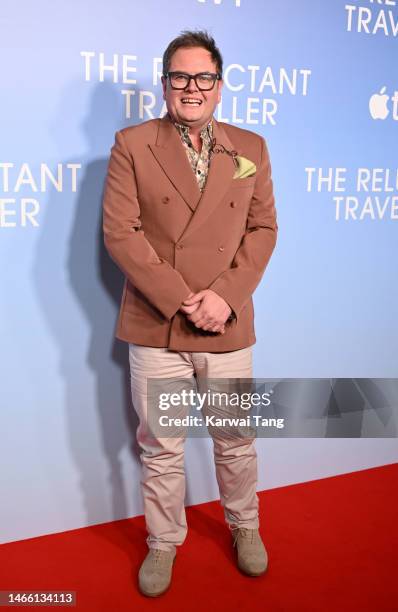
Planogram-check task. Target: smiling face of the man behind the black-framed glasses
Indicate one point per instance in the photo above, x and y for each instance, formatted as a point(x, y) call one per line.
point(191, 60)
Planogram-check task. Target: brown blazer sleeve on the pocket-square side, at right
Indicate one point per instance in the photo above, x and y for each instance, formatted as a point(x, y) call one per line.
point(237, 284)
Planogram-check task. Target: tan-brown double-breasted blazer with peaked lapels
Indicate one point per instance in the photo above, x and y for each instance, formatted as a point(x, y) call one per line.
point(169, 239)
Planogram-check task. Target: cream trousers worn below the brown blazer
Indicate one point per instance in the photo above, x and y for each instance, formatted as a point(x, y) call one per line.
point(163, 474)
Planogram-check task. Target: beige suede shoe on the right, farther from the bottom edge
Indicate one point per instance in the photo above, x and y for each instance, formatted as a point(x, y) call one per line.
point(252, 555)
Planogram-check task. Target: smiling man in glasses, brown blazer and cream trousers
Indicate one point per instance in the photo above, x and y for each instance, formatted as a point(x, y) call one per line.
point(193, 231)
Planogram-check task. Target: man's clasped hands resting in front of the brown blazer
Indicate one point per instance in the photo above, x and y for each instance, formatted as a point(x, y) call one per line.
point(207, 310)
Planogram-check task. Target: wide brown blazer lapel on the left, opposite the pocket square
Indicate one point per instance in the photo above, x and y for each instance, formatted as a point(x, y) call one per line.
point(171, 155)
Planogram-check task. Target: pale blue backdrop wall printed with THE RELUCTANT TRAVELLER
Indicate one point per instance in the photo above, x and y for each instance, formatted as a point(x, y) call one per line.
point(318, 80)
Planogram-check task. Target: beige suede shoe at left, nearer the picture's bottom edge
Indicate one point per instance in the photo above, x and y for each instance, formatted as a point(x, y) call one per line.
point(154, 577)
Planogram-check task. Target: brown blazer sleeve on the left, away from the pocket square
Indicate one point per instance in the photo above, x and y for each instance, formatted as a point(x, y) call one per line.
point(125, 241)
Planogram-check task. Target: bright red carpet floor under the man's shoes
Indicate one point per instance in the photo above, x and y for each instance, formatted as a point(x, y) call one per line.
point(332, 545)
